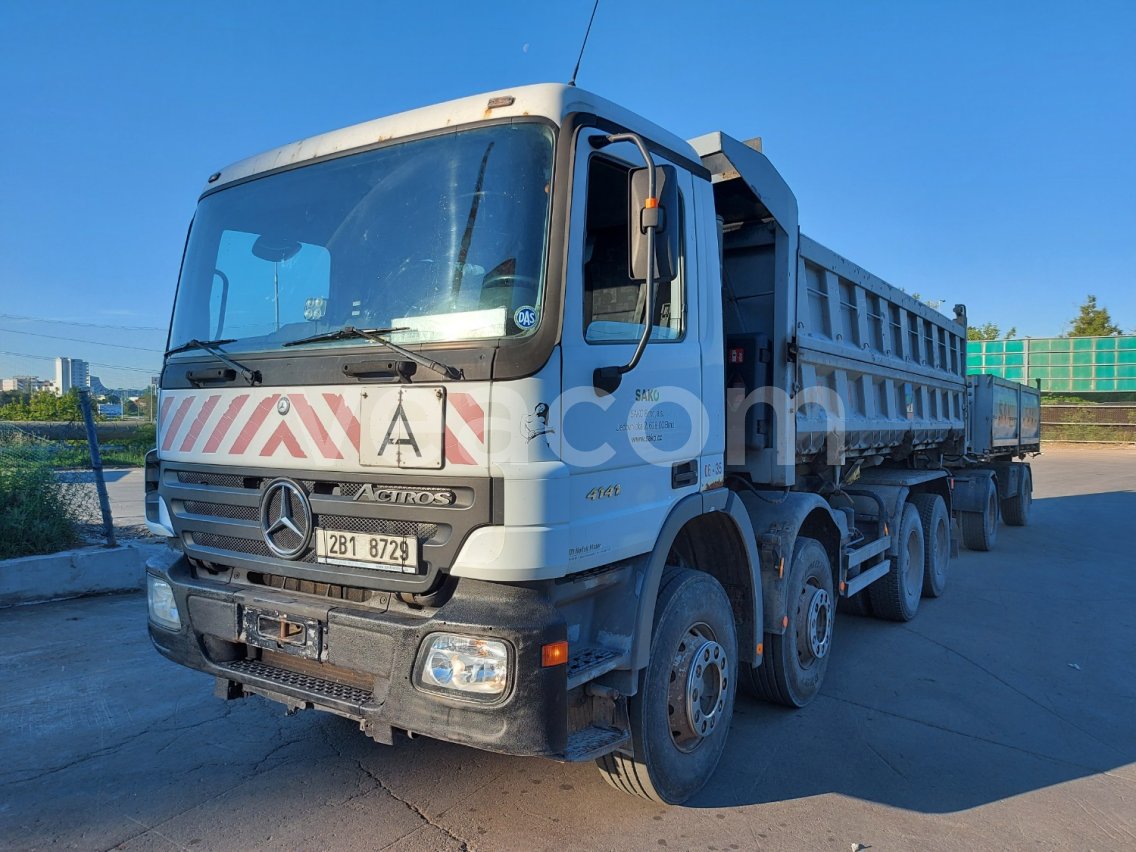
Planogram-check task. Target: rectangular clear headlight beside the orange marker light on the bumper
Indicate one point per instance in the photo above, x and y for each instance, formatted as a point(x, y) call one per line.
point(475, 669)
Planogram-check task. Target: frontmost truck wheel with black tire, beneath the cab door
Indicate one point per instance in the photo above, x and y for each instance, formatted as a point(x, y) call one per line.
point(680, 717)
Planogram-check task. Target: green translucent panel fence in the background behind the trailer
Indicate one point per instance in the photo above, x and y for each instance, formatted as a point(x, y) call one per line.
point(1064, 365)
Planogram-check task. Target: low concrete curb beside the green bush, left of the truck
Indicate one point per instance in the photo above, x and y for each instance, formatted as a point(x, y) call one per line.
point(74, 573)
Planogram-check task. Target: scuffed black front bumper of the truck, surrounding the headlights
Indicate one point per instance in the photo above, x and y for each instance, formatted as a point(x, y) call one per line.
point(366, 662)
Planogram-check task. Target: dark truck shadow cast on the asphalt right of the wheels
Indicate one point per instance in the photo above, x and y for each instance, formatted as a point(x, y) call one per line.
point(1021, 678)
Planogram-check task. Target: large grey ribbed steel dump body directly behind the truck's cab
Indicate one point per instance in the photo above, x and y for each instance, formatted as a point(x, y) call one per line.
point(855, 367)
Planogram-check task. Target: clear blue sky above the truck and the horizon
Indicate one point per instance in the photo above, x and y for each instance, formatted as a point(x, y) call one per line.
point(982, 153)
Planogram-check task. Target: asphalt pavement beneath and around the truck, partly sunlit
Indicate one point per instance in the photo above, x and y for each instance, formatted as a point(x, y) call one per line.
point(1005, 716)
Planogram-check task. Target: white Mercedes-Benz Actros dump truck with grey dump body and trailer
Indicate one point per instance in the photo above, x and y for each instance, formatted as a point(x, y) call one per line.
point(521, 423)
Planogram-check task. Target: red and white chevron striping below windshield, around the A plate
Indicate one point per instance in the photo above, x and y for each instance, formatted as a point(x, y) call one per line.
point(319, 429)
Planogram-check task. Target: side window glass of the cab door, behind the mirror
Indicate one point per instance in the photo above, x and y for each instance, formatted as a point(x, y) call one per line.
point(614, 304)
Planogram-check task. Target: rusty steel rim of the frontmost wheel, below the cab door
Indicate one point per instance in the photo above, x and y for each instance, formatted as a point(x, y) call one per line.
point(699, 688)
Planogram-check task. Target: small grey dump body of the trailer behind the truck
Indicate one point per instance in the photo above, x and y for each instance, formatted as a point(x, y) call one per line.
point(1005, 417)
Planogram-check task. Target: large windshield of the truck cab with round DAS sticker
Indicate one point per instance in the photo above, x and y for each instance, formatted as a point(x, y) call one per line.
point(441, 239)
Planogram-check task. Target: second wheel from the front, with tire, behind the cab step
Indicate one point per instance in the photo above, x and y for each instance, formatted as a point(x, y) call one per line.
point(793, 665)
